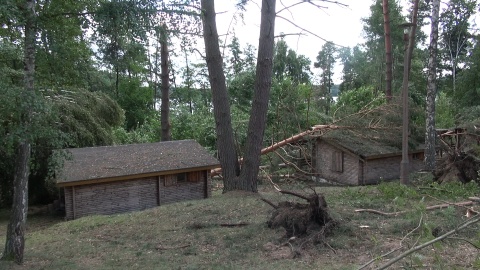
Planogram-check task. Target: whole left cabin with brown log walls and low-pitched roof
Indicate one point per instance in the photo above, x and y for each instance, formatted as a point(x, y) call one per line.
point(122, 178)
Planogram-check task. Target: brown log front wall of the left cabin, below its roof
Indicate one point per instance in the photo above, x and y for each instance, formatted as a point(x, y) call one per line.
point(130, 195)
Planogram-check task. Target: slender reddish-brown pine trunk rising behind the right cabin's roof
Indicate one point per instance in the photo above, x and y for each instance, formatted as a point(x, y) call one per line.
point(388, 51)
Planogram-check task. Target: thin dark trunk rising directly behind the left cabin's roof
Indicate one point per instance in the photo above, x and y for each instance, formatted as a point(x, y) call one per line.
point(165, 106)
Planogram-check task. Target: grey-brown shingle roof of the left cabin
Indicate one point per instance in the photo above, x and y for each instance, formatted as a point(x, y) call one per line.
point(134, 159)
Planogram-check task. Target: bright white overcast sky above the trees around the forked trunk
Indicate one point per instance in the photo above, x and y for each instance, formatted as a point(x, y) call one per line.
point(340, 24)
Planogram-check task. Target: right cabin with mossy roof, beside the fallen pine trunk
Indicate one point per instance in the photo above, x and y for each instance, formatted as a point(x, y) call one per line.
point(359, 158)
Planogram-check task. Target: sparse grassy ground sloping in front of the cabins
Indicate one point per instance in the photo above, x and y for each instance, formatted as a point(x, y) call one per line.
point(190, 235)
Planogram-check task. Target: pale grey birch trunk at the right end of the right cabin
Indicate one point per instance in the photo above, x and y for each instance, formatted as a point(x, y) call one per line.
point(430, 134)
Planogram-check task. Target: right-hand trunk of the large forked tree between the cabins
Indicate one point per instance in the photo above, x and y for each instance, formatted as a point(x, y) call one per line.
point(263, 81)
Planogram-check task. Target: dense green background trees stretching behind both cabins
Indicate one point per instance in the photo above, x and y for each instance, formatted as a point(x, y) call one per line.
point(98, 78)
